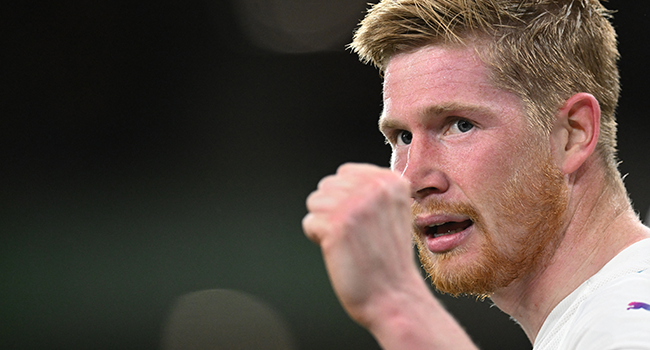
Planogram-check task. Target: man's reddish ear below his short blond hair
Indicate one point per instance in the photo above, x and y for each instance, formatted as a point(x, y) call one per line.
point(575, 133)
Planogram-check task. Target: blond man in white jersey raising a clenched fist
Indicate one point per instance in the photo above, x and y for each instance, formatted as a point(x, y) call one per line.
point(500, 114)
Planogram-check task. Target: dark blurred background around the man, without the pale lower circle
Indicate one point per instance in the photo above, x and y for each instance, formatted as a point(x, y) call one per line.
point(149, 149)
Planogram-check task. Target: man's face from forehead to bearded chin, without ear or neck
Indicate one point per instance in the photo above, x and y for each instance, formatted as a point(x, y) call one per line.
point(488, 199)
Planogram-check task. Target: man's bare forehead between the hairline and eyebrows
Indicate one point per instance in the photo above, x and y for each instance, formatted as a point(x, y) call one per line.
point(440, 76)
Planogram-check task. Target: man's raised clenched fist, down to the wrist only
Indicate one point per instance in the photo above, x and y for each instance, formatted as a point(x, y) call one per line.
point(361, 219)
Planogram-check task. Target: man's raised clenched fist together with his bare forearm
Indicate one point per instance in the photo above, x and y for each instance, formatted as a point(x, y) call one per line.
point(361, 219)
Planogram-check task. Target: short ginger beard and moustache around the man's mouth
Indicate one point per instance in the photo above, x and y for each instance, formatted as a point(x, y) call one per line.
point(530, 208)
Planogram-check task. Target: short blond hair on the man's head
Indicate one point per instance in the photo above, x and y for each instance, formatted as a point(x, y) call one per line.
point(544, 51)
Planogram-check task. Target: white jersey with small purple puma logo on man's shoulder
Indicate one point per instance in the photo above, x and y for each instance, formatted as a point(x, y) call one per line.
point(611, 310)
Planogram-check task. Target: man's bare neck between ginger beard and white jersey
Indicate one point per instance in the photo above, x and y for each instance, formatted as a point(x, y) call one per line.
point(601, 223)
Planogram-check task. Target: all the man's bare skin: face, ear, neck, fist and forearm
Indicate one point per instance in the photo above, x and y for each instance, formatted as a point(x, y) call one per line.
point(497, 208)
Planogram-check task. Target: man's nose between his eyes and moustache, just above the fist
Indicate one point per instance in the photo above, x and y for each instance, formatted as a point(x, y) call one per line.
point(422, 169)
